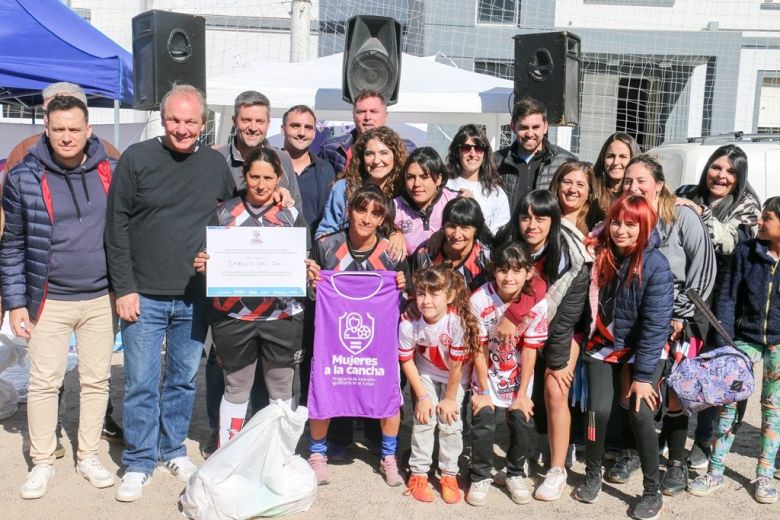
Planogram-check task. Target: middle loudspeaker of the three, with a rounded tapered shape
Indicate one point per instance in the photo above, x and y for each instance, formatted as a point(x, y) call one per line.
point(372, 57)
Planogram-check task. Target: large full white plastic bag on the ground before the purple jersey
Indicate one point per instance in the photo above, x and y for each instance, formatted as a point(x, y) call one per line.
point(255, 474)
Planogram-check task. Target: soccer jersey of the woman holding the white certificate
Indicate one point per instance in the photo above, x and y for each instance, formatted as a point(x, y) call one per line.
point(237, 213)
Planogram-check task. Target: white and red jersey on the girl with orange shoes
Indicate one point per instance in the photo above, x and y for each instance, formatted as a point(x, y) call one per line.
point(434, 346)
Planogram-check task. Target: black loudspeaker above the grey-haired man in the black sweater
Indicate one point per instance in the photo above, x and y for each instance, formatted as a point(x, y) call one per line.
point(167, 47)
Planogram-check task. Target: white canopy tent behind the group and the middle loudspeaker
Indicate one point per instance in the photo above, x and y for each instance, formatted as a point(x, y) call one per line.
point(430, 92)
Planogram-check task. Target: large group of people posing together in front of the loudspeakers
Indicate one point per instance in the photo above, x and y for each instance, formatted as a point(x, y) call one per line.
point(551, 288)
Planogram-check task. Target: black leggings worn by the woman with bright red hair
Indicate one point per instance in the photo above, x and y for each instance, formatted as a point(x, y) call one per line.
point(603, 389)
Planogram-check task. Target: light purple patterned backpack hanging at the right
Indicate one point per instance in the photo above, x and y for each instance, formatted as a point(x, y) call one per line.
point(718, 377)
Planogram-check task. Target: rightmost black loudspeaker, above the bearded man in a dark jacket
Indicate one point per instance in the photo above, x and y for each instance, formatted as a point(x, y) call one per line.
point(547, 68)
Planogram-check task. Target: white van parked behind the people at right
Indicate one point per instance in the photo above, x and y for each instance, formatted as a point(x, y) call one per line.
point(684, 162)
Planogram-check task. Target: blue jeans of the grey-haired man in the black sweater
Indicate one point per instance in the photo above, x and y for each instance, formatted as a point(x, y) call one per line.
point(156, 419)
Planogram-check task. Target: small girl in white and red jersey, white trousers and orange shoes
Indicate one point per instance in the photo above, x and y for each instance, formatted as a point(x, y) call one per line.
point(434, 351)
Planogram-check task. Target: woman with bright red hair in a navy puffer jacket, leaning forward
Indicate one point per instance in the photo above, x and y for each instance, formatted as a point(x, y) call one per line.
point(631, 298)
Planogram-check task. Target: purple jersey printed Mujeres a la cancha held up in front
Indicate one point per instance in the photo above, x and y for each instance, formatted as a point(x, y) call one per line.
point(355, 371)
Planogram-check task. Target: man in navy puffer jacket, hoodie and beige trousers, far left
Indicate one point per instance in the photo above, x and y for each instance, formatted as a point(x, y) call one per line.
point(55, 283)
